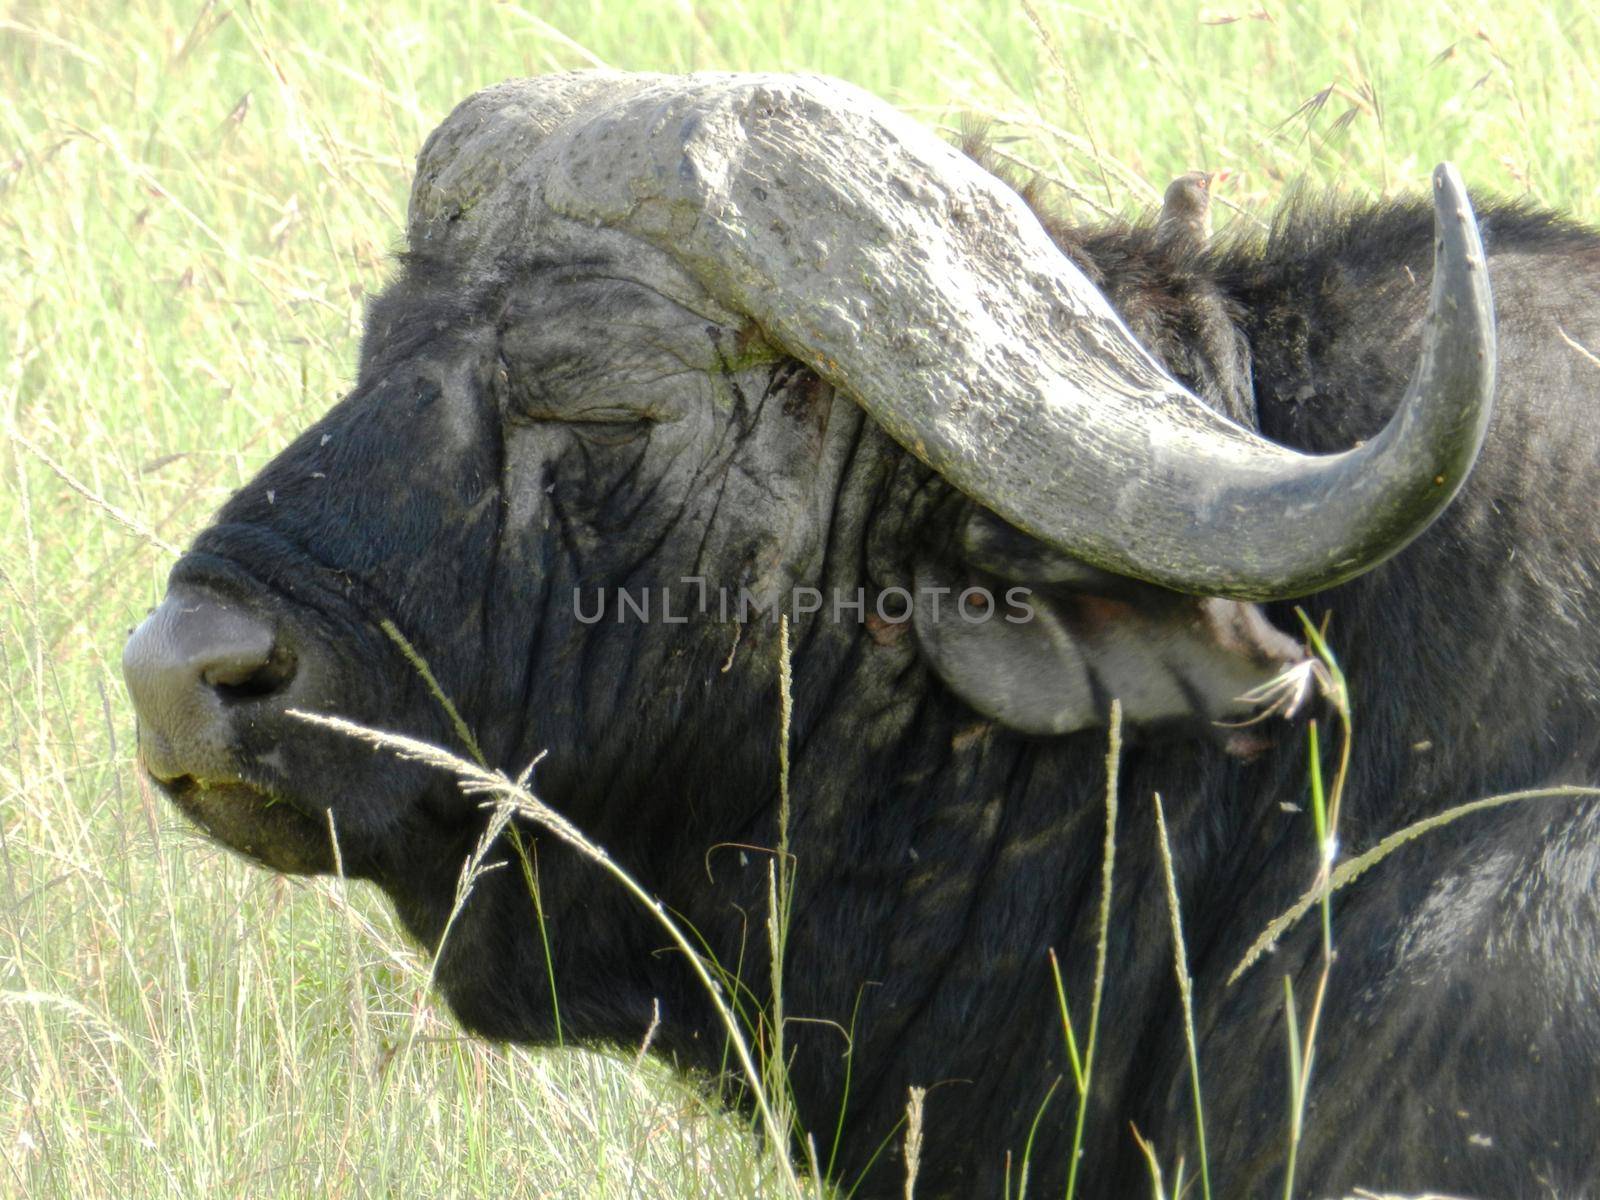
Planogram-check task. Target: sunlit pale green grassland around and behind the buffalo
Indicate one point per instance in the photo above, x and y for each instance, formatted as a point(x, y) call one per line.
point(194, 202)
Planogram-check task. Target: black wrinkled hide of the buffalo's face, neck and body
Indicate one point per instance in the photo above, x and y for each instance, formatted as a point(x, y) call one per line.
point(601, 423)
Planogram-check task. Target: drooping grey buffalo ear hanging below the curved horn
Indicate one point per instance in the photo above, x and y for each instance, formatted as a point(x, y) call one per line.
point(1065, 639)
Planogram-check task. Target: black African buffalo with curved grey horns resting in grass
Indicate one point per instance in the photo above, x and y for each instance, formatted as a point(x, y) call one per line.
point(743, 337)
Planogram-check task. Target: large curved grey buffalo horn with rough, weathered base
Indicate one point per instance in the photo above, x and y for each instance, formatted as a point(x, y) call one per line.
point(905, 274)
